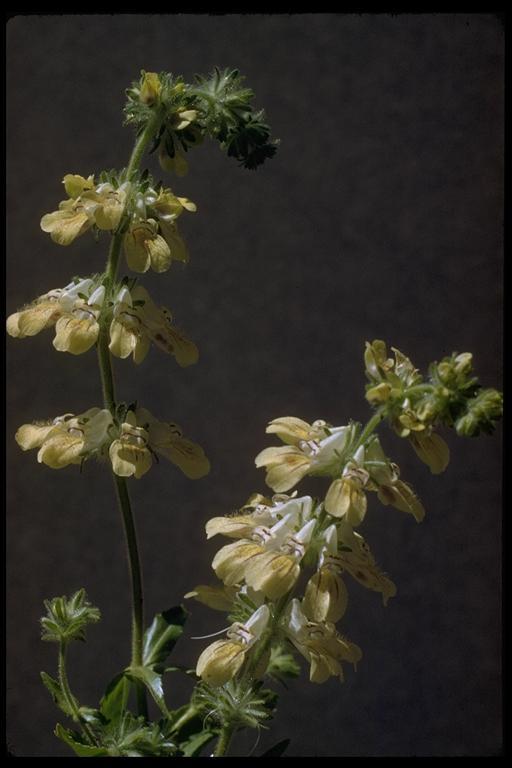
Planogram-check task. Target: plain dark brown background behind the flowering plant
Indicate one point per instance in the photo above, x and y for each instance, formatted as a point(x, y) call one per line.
point(381, 216)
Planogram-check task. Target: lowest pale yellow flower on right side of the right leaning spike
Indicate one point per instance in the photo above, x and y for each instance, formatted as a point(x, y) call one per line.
point(319, 643)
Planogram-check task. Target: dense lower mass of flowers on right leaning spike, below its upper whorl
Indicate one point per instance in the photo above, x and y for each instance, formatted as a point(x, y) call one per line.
point(275, 540)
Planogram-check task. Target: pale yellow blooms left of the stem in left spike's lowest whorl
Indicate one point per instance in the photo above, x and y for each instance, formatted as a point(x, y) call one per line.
point(68, 439)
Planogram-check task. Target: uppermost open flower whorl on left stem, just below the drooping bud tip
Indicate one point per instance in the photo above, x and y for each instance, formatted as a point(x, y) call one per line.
point(147, 216)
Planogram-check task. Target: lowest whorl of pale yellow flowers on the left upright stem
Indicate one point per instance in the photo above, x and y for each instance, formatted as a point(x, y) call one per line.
point(130, 443)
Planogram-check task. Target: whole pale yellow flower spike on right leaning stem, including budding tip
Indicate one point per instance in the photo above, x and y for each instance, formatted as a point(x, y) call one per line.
point(278, 540)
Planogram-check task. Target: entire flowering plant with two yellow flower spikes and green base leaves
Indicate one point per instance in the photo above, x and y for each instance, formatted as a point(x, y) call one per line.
point(284, 578)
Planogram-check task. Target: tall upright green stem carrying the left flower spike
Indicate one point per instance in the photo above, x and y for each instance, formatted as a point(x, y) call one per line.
point(109, 399)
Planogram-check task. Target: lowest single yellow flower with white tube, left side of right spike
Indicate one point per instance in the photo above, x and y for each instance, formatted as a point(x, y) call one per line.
point(223, 659)
